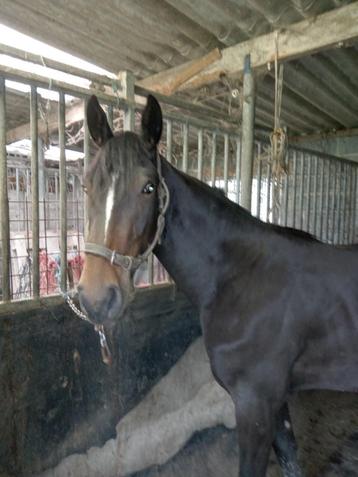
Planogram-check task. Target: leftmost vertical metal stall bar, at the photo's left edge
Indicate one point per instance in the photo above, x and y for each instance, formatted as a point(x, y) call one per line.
point(4, 200)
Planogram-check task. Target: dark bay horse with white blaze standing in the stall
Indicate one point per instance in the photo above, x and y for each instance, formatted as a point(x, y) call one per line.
point(278, 309)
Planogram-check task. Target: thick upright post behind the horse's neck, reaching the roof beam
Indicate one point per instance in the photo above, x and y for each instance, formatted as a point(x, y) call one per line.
point(248, 120)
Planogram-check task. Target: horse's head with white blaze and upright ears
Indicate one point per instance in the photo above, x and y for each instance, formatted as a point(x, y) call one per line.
point(124, 191)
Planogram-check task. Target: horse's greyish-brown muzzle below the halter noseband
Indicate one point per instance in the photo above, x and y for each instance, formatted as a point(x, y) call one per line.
point(107, 307)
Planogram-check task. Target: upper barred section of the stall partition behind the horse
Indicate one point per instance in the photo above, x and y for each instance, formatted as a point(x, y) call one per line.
point(43, 208)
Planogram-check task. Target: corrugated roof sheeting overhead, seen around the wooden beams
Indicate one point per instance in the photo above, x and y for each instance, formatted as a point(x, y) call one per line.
point(148, 36)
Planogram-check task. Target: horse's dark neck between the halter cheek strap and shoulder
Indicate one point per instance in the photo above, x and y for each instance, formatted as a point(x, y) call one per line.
point(192, 248)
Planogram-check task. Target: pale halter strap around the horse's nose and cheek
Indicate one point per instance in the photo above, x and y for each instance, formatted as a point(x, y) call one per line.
point(127, 262)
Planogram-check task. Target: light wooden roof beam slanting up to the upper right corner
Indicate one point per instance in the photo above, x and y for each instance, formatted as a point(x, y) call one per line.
point(332, 28)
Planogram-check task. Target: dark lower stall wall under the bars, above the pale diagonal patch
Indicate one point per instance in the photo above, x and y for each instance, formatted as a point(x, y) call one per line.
point(56, 395)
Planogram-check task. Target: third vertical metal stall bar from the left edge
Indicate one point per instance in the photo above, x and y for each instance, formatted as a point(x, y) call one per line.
point(63, 192)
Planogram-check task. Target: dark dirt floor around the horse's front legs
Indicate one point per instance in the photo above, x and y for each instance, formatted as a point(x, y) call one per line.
point(326, 426)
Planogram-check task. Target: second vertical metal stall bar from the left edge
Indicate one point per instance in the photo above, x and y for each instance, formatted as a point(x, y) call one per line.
point(35, 194)
